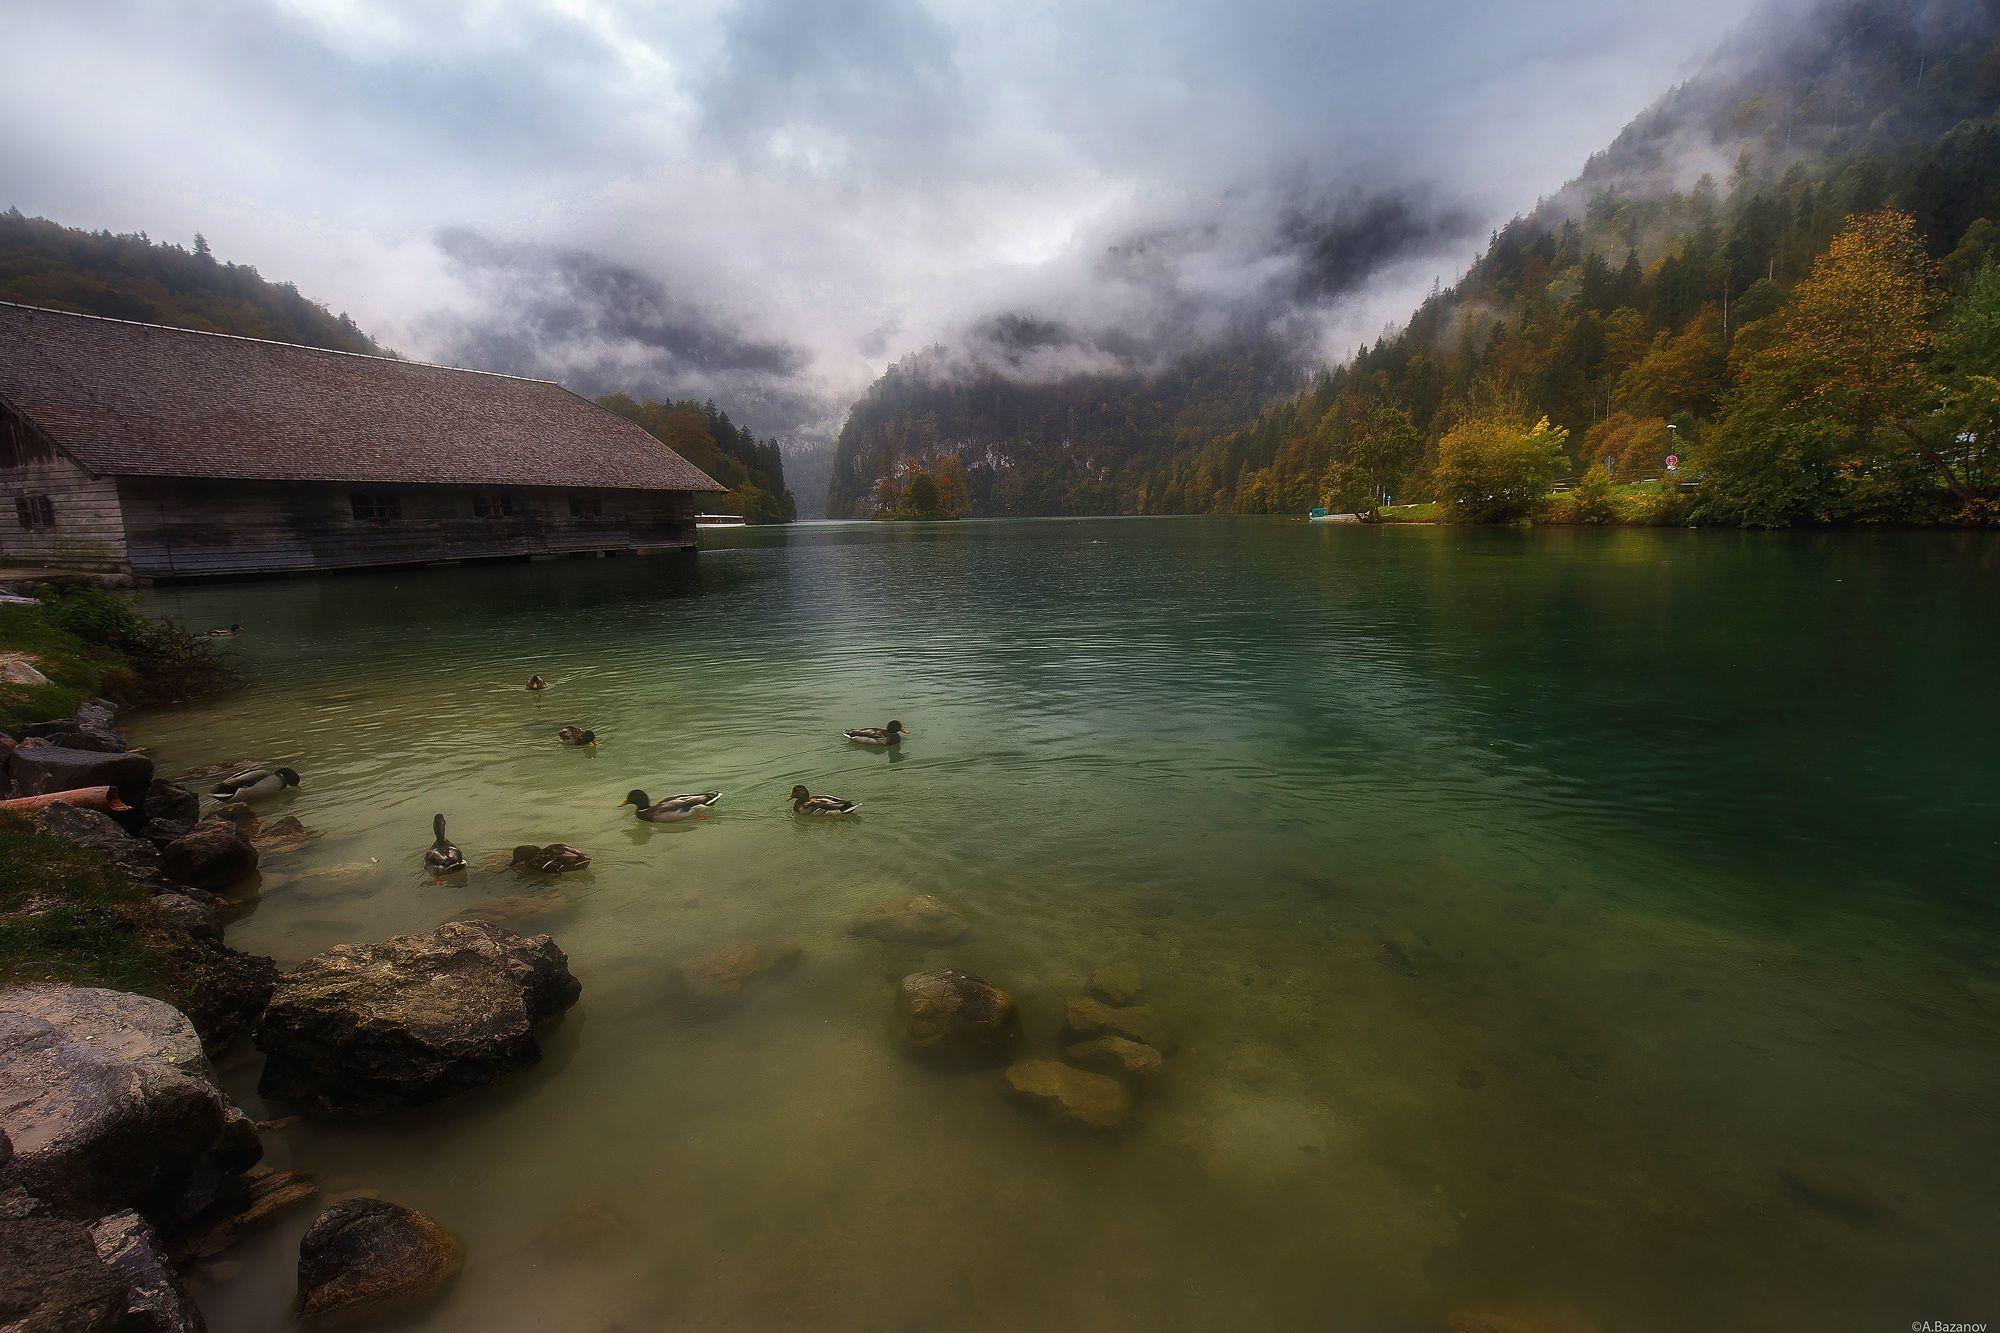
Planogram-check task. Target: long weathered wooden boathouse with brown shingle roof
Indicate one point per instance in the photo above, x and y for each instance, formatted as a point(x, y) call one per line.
point(171, 453)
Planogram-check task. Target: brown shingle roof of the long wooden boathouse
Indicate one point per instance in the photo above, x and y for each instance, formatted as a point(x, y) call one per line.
point(151, 401)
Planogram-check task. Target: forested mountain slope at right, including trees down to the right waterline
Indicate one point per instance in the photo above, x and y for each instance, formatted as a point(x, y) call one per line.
point(1629, 311)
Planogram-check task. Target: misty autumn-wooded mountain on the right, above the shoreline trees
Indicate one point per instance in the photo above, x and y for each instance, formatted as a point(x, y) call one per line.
point(1623, 309)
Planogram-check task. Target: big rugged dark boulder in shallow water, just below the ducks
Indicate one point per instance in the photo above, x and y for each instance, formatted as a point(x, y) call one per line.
point(411, 1020)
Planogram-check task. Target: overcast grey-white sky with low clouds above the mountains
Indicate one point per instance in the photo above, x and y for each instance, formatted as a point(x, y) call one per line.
point(769, 201)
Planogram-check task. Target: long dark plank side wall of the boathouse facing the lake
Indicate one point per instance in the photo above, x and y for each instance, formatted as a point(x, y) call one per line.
point(205, 527)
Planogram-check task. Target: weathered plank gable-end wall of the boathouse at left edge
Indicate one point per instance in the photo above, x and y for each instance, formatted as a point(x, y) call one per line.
point(85, 527)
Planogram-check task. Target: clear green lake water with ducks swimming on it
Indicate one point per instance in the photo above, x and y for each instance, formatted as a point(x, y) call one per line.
point(1595, 928)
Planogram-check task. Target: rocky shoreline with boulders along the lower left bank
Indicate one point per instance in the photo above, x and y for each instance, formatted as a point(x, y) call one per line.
point(121, 1158)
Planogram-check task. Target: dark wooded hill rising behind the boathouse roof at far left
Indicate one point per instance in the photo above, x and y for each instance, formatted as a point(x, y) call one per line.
point(141, 279)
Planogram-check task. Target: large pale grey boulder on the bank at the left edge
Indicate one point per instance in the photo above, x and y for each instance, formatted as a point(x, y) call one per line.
point(111, 1106)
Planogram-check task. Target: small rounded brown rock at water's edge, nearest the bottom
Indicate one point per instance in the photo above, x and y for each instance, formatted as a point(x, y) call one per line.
point(363, 1252)
